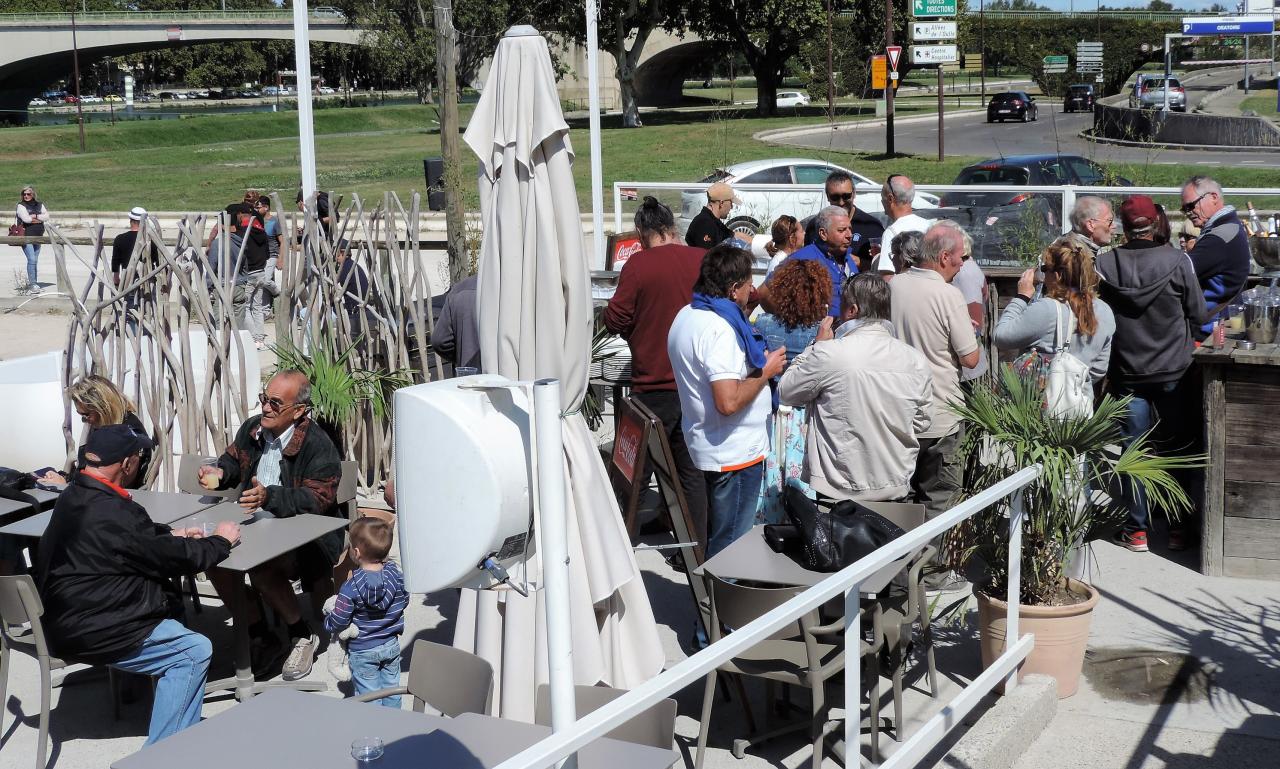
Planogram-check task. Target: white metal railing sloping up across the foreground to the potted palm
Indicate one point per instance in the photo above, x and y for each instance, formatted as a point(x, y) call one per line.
point(847, 582)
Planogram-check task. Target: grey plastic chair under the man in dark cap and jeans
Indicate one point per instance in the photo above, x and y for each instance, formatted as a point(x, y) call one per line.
point(20, 605)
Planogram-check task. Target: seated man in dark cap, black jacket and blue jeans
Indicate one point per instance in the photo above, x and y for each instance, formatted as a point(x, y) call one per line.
point(104, 573)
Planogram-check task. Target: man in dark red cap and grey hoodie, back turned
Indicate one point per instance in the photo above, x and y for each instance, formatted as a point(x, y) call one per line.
point(1158, 304)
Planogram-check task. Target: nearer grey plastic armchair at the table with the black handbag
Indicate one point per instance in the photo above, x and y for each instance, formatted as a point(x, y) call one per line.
point(790, 658)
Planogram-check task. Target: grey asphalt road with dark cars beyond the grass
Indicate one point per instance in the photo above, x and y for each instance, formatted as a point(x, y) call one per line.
point(1055, 131)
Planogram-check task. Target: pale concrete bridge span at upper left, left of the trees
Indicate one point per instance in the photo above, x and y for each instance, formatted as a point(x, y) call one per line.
point(36, 49)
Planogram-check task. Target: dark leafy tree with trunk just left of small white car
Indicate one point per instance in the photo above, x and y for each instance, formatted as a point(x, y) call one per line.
point(769, 33)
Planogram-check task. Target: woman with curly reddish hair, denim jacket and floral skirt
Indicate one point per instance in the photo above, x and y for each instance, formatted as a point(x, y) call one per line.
point(801, 292)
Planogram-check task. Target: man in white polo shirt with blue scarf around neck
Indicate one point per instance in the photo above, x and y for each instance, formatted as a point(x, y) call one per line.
point(723, 376)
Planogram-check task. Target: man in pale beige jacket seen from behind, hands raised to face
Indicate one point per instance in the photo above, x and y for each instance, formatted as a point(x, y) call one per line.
point(870, 397)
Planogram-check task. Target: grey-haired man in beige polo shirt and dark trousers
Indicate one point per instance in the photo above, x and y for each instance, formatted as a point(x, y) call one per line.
point(931, 315)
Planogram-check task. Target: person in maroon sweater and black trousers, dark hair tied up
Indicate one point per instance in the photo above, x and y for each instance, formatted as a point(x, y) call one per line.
point(653, 287)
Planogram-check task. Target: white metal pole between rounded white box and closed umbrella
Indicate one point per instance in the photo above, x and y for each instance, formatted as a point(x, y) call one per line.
point(554, 519)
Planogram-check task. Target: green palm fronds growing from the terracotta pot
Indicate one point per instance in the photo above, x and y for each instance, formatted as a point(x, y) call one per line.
point(1081, 459)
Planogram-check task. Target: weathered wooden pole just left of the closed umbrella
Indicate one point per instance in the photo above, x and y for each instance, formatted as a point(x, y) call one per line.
point(447, 75)
